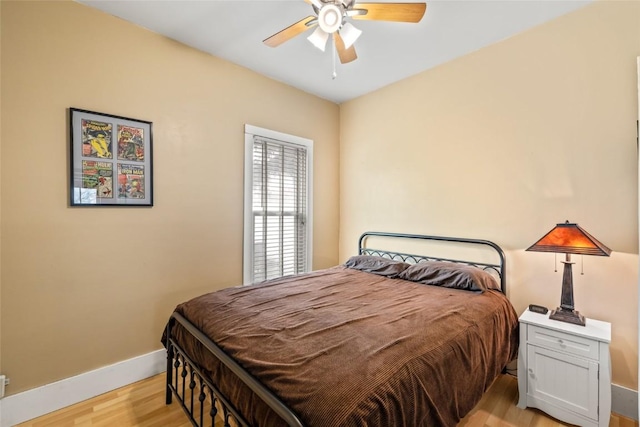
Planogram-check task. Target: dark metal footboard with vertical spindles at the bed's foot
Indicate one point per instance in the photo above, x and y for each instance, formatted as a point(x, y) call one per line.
point(192, 377)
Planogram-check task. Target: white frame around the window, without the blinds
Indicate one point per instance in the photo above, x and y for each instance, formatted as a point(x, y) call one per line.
point(250, 132)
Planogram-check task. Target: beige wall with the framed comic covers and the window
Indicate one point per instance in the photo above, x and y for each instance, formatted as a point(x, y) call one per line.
point(86, 287)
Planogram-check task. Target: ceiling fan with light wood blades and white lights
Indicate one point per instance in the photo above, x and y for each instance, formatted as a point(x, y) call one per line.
point(331, 19)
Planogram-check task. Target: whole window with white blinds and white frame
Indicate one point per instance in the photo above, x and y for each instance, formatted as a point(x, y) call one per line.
point(277, 223)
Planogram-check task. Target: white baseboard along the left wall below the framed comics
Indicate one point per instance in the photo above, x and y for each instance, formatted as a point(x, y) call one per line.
point(33, 403)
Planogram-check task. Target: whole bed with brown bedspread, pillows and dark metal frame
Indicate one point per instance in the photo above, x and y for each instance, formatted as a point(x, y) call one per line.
point(388, 338)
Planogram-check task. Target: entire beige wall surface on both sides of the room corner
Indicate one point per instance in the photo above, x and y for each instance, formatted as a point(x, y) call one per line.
point(500, 144)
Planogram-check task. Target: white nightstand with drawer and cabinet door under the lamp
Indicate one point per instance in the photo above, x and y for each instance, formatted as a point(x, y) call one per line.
point(565, 369)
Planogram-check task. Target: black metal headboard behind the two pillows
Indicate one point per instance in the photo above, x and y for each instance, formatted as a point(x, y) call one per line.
point(499, 269)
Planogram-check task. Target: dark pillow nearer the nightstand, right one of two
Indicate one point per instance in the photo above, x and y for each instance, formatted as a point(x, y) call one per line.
point(450, 275)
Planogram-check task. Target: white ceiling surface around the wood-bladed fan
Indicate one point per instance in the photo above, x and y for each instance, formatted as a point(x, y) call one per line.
point(387, 51)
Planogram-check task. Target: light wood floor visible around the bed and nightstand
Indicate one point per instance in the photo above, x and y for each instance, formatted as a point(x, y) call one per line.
point(142, 404)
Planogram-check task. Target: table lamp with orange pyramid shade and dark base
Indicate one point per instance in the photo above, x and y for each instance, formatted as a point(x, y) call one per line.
point(569, 239)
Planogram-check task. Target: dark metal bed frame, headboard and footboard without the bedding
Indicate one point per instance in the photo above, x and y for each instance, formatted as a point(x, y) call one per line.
point(201, 399)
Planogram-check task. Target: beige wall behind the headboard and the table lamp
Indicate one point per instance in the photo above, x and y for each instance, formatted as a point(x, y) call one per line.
point(504, 143)
